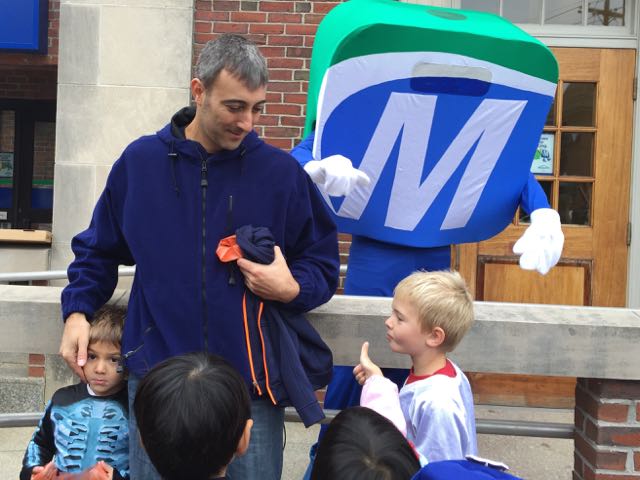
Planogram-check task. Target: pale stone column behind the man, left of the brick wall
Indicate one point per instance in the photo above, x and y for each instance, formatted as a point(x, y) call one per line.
point(124, 69)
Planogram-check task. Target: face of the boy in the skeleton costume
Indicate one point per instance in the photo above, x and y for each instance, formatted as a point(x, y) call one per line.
point(100, 370)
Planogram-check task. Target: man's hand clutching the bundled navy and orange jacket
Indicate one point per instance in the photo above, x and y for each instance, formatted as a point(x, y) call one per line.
point(270, 282)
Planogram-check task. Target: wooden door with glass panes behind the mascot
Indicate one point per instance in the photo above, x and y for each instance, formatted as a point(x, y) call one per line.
point(589, 135)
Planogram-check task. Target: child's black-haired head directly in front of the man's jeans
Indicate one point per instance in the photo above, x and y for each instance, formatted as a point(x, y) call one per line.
point(191, 412)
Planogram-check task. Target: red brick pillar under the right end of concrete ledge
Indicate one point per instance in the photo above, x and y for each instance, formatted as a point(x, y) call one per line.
point(607, 420)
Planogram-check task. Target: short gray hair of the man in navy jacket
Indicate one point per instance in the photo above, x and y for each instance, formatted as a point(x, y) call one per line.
point(235, 54)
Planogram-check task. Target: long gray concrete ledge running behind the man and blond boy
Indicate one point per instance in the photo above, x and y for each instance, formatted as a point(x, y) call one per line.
point(506, 338)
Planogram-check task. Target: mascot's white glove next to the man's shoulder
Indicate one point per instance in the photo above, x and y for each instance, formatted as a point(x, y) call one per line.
point(336, 175)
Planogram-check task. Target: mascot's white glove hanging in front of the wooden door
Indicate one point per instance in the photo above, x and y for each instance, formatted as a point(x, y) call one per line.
point(541, 245)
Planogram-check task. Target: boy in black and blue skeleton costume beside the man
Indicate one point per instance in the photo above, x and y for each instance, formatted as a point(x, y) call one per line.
point(85, 427)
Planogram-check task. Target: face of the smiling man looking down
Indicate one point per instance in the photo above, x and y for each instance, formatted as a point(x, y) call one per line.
point(226, 112)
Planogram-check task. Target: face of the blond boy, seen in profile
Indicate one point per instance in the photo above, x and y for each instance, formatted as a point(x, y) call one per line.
point(403, 328)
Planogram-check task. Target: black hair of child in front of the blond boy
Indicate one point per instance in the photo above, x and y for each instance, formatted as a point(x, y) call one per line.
point(361, 444)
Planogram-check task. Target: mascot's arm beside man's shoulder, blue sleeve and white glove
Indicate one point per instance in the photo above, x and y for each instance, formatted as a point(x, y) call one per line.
point(334, 175)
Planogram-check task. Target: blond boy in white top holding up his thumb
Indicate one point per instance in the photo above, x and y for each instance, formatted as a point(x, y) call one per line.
point(431, 312)
